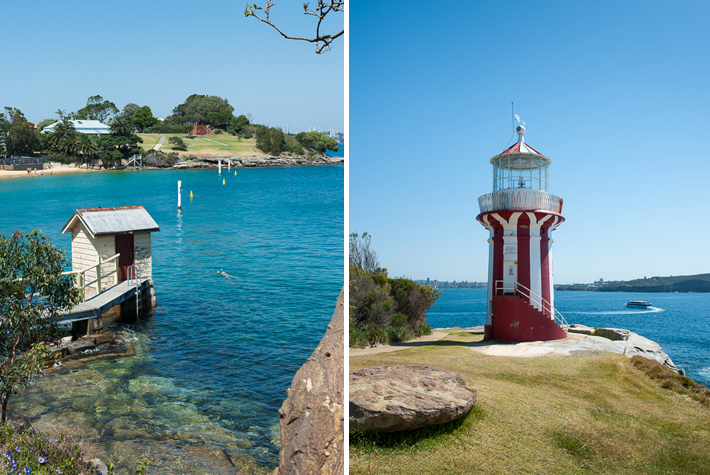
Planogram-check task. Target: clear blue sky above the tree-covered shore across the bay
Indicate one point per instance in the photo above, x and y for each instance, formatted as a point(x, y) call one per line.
point(157, 53)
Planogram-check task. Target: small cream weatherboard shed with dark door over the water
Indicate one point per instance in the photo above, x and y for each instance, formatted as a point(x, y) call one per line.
point(98, 234)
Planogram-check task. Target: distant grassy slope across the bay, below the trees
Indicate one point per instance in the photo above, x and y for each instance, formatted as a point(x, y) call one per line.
point(204, 147)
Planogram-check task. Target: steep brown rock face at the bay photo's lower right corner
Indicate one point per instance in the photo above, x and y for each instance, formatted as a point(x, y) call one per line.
point(311, 417)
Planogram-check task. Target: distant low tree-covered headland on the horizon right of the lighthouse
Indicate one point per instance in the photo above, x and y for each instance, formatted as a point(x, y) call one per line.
point(677, 283)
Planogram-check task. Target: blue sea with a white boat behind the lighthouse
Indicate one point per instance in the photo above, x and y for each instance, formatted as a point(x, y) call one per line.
point(678, 322)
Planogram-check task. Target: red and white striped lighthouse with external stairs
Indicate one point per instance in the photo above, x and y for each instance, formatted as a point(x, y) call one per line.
point(520, 215)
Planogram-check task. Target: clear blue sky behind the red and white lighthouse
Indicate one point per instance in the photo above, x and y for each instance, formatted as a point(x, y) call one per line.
point(614, 93)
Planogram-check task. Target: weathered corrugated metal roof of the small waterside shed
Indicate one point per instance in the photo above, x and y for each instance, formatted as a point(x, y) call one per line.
point(118, 220)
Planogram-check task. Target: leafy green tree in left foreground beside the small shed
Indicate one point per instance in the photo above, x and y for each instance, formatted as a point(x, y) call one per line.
point(33, 294)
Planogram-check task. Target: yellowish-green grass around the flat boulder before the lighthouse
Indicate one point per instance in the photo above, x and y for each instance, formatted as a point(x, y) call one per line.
point(545, 415)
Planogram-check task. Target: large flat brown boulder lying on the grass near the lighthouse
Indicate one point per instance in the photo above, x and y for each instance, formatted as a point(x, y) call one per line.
point(395, 398)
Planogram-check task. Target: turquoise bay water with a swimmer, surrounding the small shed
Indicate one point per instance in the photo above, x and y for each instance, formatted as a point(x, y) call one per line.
point(214, 359)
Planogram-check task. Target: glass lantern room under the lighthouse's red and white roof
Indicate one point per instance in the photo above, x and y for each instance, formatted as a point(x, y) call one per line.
point(520, 171)
